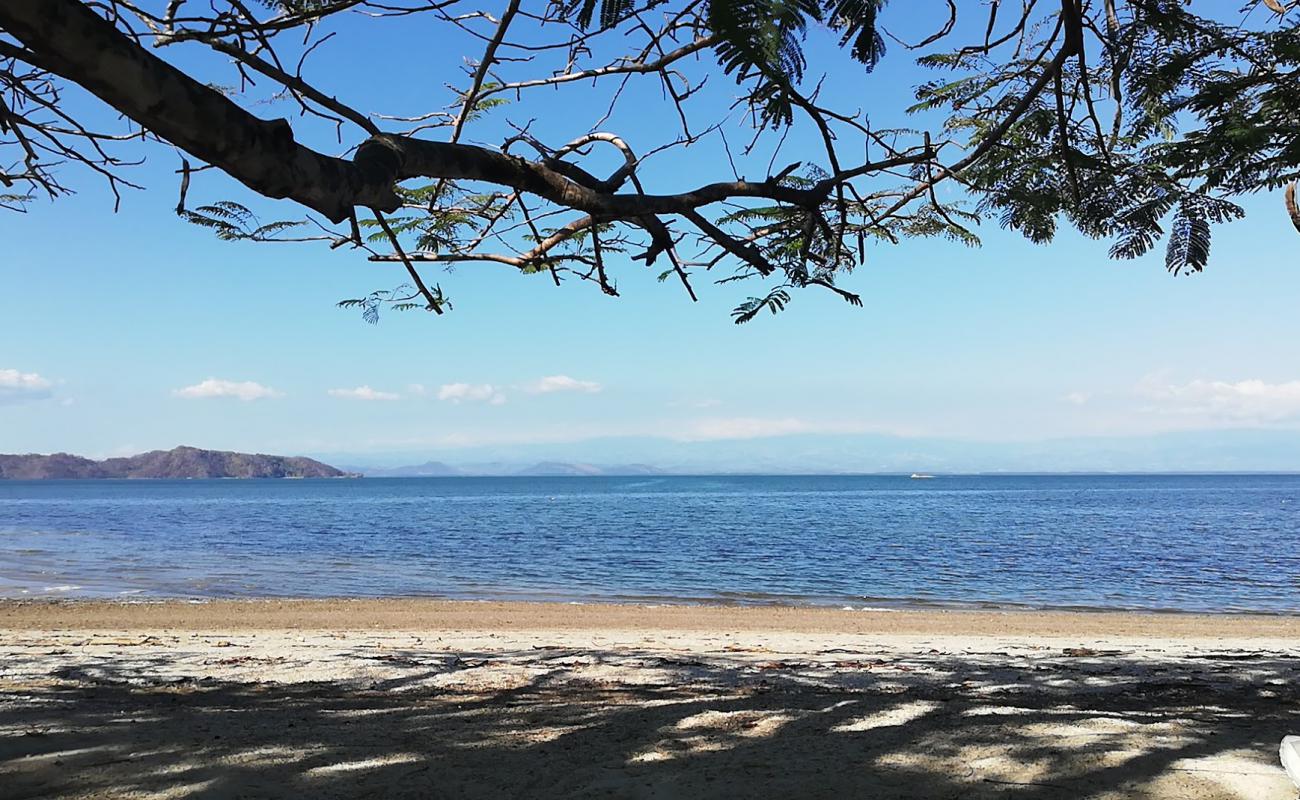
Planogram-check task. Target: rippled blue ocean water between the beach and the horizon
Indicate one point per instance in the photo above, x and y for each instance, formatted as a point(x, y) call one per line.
point(1171, 543)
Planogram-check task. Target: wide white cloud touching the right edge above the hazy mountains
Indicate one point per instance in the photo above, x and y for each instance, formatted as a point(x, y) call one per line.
point(1250, 401)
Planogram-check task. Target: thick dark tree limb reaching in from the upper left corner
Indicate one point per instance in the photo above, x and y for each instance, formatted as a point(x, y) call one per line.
point(76, 44)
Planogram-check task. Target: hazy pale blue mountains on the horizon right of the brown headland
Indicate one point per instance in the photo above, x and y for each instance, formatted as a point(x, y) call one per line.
point(1230, 451)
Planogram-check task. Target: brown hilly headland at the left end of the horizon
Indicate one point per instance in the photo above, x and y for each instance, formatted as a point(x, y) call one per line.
point(176, 464)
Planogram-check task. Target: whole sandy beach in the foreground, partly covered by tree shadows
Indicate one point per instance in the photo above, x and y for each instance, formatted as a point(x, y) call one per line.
point(435, 699)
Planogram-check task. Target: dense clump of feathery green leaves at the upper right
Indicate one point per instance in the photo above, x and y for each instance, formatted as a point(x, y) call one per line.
point(1197, 113)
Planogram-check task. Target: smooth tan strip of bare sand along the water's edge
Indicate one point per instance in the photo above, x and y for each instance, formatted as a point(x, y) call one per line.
point(424, 615)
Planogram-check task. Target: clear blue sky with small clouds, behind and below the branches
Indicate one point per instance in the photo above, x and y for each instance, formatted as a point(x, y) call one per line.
point(135, 331)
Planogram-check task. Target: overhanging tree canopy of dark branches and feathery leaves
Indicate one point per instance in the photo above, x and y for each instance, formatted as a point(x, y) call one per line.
point(1137, 122)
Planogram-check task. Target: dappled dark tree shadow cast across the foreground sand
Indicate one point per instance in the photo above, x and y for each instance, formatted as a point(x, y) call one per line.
point(713, 729)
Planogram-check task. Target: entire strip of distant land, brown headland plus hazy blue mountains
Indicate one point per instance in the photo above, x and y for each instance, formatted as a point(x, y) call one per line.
point(1232, 451)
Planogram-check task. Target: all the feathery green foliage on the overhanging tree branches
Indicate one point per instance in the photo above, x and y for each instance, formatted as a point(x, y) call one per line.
point(1143, 140)
